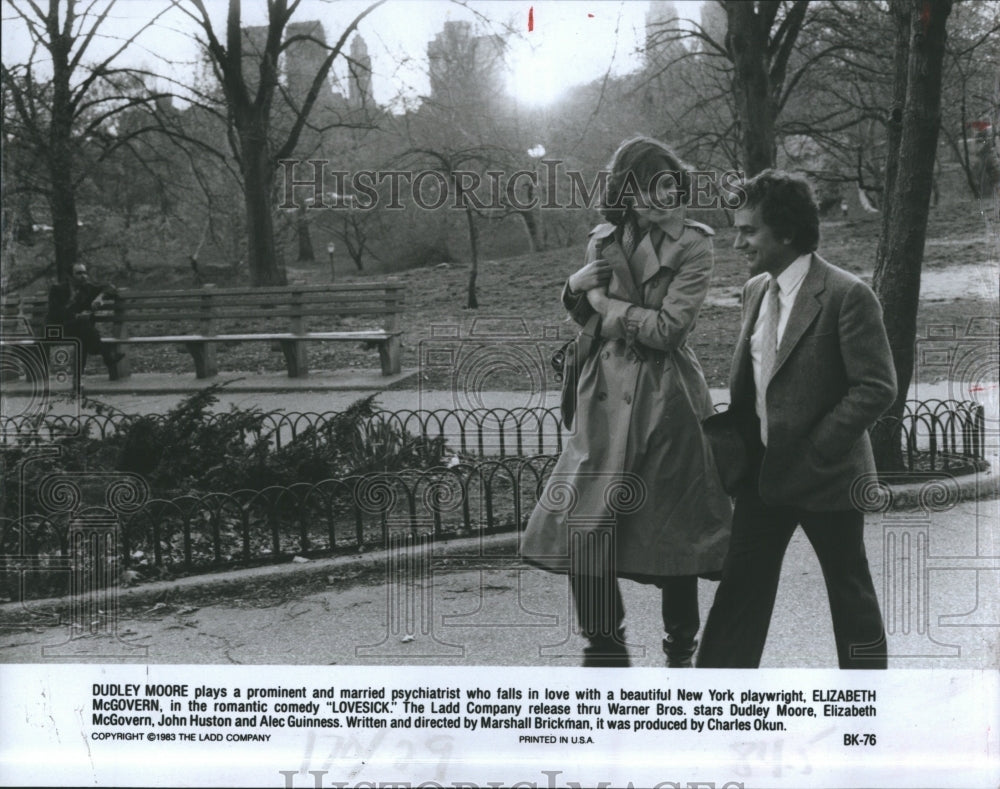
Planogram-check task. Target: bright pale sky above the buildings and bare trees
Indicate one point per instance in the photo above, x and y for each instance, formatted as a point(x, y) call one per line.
point(571, 43)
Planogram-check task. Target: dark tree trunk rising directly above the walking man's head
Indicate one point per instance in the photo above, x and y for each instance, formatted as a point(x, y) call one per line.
point(747, 41)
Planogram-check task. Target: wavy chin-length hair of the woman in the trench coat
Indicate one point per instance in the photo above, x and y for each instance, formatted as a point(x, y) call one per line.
point(637, 163)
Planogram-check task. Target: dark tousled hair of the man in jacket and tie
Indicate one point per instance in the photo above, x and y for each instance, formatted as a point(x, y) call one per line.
point(787, 205)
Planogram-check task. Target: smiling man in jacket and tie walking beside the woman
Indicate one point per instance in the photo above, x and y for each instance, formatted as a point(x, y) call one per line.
point(811, 373)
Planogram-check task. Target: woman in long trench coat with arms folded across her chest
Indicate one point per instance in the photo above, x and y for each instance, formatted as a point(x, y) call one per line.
point(635, 493)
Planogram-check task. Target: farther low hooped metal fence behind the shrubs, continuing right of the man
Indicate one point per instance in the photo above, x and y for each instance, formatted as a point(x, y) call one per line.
point(934, 433)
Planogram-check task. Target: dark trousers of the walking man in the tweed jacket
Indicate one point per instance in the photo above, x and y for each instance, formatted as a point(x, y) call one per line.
point(741, 613)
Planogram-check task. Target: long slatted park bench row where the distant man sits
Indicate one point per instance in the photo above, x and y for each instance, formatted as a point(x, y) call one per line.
point(200, 320)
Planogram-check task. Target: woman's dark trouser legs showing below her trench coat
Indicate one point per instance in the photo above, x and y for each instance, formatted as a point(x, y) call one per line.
point(601, 613)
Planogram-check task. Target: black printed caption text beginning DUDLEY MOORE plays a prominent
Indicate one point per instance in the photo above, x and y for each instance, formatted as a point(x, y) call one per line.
point(211, 713)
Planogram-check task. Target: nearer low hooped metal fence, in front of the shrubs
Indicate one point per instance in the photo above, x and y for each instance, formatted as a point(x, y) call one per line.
point(217, 530)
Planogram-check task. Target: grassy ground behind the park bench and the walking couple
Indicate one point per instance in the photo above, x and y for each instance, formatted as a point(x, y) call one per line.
point(519, 297)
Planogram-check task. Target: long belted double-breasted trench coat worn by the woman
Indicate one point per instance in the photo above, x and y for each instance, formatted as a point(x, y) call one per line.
point(636, 482)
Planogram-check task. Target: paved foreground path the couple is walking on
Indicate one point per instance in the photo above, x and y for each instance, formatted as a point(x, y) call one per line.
point(514, 615)
